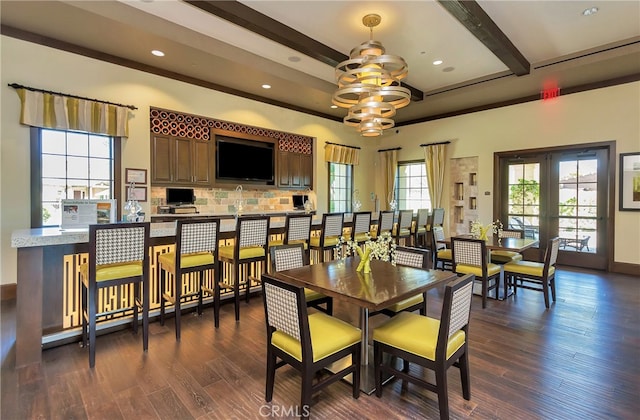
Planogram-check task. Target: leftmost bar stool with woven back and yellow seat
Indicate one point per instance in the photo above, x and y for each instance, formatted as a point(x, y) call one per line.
point(118, 258)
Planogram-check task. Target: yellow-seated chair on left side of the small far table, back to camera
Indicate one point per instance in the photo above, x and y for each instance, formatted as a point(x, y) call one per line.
point(470, 257)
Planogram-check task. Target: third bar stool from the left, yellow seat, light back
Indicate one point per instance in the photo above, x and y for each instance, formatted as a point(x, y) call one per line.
point(250, 248)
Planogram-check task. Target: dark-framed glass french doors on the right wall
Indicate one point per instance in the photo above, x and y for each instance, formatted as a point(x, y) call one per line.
point(564, 192)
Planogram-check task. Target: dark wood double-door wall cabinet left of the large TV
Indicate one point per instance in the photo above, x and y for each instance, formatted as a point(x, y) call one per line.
point(180, 161)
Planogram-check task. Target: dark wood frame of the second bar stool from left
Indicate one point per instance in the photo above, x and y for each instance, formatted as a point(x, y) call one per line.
point(178, 297)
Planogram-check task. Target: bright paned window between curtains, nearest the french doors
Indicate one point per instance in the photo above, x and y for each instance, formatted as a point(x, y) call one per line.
point(412, 190)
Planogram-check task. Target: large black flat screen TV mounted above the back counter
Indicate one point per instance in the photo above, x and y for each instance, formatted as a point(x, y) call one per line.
point(244, 160)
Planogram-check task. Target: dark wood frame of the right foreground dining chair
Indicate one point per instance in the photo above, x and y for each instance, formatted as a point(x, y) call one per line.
point(459, 359)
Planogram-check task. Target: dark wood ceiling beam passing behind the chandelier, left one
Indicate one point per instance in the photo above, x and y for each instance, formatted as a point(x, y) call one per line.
point(254, 21)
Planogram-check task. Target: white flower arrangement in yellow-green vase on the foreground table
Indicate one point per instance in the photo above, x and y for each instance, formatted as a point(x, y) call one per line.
point(383, 249)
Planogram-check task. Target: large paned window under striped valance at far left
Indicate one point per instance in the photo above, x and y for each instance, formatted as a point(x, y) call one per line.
point(69, 165)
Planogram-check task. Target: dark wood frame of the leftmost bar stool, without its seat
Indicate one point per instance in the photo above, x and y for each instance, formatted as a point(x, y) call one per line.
point(89, 290)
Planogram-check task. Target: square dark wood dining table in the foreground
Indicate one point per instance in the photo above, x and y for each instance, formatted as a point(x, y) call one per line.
point(385, 285)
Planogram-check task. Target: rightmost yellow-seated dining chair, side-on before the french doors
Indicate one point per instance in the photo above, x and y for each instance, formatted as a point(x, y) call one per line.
point(534, 275)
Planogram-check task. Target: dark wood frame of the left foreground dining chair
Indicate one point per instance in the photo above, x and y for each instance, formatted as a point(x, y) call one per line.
point(307, 367)
